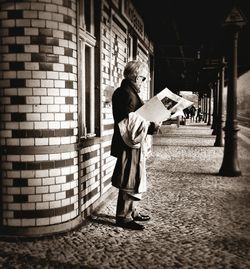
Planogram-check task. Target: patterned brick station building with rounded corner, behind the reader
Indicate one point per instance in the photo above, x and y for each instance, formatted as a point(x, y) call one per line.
point(61, 60)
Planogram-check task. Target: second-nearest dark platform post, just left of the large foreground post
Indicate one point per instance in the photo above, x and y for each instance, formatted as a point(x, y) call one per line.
point(219, 134)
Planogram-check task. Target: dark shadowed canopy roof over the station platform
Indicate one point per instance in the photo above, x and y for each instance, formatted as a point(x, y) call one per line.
point(190, 40)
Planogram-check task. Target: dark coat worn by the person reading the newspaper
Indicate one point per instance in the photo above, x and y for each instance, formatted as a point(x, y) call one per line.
point(125, 100)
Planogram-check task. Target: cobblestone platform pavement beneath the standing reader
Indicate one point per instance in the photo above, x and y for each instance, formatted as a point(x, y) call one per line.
point(198, 218)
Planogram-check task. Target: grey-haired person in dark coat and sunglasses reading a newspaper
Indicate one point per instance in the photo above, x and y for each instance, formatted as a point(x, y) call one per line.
point(128, 146)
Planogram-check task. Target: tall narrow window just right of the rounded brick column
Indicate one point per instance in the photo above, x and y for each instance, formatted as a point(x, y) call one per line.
point(86, 41)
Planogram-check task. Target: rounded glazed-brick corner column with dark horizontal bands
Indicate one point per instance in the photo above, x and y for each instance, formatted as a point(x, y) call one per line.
point(39, 169)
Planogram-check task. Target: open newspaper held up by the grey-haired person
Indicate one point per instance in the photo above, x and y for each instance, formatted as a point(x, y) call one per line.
point(163, 106)
